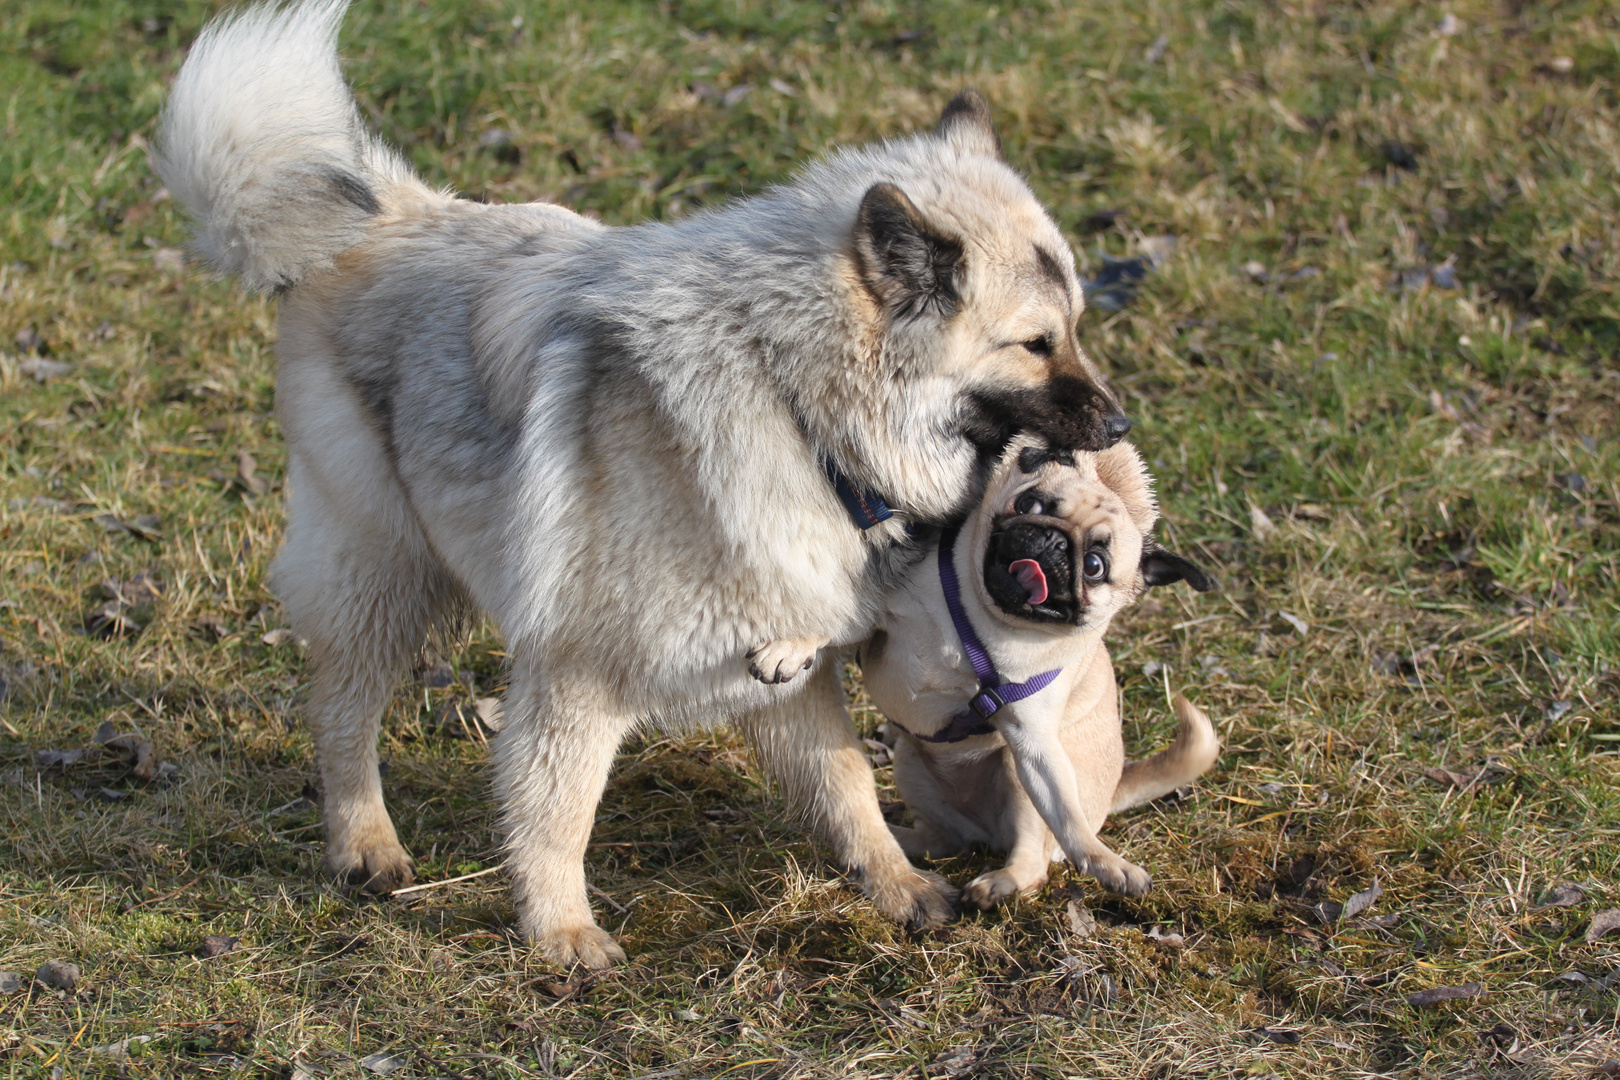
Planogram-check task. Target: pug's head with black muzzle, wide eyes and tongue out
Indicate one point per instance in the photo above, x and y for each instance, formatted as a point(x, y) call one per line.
point(1070, 538)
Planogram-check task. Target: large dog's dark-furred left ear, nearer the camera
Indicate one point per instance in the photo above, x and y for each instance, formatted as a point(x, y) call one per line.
point(908, 266)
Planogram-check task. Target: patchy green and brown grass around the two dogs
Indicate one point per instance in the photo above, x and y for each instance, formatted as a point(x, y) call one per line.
point(1410, 491)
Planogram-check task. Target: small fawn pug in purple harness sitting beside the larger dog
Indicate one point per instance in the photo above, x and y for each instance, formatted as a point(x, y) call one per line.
point(1041, 786)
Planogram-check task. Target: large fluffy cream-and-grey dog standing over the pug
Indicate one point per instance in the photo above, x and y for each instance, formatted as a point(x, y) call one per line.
point(613, 440)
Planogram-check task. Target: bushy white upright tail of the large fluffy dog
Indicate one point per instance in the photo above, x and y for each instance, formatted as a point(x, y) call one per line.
point(263, 145)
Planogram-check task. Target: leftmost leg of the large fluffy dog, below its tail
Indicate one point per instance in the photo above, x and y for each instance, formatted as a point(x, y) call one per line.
point(364, 590)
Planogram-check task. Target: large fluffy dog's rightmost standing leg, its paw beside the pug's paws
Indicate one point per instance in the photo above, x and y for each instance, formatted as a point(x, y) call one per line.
point(809, 747)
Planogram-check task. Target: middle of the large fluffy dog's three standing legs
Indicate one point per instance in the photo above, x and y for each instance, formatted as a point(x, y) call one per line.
point(553, 755)
